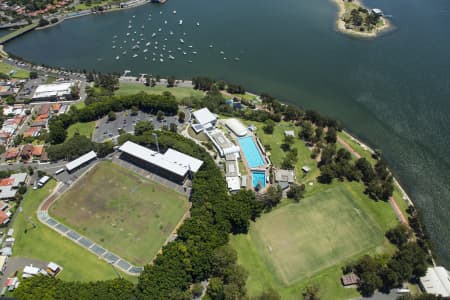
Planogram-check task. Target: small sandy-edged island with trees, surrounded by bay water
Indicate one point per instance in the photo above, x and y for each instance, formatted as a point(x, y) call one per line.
point(357, 20)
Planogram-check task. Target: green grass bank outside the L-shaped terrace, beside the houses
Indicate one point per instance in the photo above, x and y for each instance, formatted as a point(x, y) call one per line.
point(45, 244)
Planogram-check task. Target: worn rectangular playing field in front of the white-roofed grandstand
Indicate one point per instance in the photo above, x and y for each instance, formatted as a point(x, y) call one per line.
point(122, 211)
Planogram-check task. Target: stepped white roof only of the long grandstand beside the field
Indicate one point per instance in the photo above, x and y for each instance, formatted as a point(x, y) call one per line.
point(173, 161)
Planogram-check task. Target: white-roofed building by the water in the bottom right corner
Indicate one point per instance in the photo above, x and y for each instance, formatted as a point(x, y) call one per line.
point(436, 281)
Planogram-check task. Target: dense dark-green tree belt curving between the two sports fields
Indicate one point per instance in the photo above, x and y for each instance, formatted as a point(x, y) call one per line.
point(199, 252)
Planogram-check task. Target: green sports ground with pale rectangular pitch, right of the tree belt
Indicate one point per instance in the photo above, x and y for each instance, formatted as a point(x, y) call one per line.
point(308, 242)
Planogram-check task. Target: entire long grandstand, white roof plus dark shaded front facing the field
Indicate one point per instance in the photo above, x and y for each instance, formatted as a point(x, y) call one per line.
point(173, 165)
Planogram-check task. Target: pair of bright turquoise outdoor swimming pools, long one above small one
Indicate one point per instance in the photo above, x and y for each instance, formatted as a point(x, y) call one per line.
point(254, 160)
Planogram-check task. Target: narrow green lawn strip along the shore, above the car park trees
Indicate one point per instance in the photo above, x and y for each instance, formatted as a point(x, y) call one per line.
point(178, 92)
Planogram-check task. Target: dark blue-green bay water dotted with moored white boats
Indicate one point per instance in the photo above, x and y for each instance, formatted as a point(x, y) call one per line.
point(393, 92)
